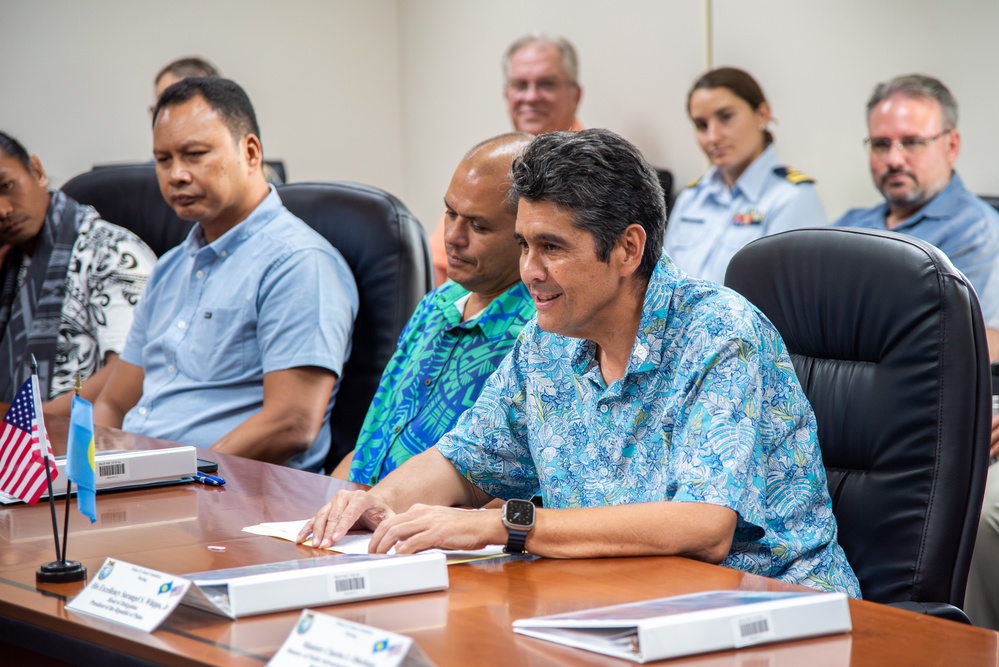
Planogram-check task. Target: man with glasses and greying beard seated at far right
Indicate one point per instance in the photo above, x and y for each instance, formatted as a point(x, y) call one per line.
point(913, 143)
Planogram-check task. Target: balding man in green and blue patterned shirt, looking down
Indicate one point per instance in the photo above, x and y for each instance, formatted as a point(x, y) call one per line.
point(462, 330)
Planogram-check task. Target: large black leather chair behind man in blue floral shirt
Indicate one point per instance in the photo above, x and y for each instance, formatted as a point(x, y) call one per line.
point(888, 341)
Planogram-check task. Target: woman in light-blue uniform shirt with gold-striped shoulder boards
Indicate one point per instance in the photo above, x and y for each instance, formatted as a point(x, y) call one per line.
point(747, 193)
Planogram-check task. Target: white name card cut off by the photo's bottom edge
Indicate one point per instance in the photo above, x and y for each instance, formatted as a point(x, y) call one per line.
point(321, 640)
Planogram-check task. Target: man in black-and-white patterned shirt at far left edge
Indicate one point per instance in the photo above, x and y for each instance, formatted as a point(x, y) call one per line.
point(69, 283)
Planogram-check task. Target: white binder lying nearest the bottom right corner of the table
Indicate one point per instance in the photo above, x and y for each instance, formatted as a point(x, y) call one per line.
point(695, 623)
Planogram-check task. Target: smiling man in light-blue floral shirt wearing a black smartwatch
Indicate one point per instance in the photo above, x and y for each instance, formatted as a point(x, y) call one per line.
point(653, 413)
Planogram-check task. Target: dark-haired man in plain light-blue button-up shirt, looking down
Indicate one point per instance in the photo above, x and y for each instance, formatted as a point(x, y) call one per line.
point(244, 328)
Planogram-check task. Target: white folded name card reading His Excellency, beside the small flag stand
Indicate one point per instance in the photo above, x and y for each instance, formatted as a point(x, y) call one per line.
point(131, 595)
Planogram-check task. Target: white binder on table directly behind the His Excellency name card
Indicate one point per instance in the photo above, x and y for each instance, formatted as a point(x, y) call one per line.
point(314, 582)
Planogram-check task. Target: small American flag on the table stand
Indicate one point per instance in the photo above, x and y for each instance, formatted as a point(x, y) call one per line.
point(22, 466)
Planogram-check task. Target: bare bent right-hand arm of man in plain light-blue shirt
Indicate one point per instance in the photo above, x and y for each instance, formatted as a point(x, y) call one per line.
point(295, 401)
